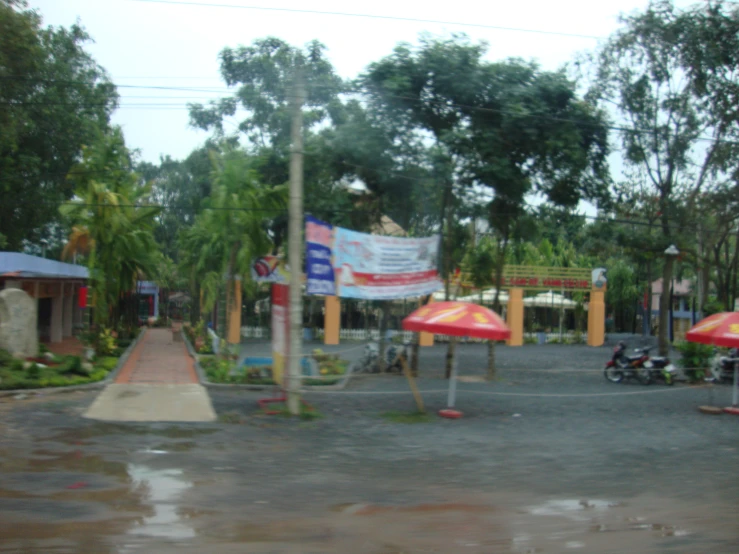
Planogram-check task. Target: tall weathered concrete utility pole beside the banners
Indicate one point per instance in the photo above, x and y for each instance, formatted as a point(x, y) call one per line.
point(295, 245)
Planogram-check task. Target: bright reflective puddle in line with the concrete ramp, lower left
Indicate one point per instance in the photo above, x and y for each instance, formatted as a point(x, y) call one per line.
point(164, 487)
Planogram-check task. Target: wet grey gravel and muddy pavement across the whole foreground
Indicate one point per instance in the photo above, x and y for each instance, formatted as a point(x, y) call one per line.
point(542, 462)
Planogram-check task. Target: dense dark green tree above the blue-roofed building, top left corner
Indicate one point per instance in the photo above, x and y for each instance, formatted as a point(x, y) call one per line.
point(54, 98)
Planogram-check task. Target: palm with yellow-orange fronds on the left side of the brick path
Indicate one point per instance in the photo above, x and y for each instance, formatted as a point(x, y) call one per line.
point(112, 225)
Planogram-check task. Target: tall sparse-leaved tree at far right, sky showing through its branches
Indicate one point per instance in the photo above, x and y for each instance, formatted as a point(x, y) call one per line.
point(667, 74)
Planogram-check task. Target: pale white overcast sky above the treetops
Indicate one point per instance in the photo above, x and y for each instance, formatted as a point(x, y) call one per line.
point(143, 43)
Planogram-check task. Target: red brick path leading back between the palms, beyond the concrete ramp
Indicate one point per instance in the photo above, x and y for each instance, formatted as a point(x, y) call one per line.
point(158, 360)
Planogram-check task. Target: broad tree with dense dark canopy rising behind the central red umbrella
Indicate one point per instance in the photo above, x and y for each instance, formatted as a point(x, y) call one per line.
point(508, 127)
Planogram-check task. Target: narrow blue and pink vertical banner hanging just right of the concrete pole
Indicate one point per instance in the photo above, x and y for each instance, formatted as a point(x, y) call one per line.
point(318, 267)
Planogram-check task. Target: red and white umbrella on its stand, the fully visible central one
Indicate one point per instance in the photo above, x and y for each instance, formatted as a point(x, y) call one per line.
point(457, 319)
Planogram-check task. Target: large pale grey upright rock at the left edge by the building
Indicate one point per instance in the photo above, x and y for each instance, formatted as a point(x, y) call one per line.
point(18, 332)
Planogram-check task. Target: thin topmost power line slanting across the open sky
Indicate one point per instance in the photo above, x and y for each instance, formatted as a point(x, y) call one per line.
point(375, 16)
